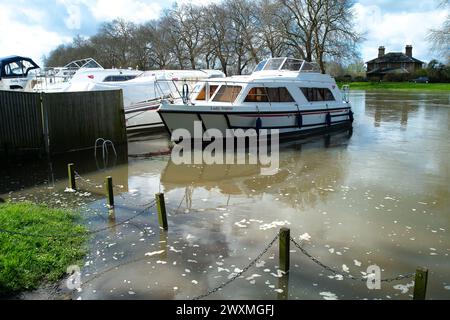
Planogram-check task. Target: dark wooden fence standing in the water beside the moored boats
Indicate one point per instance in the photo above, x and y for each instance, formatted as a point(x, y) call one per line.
point(51, 123)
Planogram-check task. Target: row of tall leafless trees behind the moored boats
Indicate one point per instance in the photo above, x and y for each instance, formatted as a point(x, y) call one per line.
point(234, 35)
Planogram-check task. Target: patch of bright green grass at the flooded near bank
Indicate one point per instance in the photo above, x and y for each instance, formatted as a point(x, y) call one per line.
point(27, 262)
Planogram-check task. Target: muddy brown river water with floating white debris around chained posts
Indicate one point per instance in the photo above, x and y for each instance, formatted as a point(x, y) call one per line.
point(378, 195)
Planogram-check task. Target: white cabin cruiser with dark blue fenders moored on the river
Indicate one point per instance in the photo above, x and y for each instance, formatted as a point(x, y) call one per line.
point(282, 93)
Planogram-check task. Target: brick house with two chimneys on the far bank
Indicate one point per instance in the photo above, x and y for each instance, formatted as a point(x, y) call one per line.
point(393, 64)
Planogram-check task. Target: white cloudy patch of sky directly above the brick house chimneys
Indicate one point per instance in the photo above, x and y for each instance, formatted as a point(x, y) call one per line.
point(395, 30)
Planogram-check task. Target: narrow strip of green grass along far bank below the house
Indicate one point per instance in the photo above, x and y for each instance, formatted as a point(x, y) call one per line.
point(406, 86)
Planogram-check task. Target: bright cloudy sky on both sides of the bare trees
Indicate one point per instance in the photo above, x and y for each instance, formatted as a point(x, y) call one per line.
point(35, 27)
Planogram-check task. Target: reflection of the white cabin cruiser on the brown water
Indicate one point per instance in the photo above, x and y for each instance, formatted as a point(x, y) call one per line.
point(306, 169)
